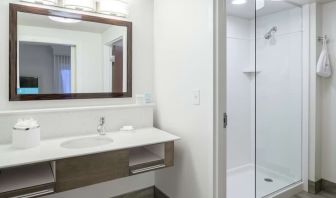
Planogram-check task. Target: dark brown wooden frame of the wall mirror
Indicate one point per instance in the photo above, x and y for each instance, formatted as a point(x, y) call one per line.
point(13, 12)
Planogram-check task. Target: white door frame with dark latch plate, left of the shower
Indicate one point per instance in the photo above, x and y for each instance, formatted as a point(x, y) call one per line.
point(219, 169)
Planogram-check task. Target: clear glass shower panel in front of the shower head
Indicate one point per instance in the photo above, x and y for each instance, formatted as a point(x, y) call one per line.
point(278, 96)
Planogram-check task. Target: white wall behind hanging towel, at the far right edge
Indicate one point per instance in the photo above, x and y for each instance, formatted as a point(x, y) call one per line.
point(327, 98)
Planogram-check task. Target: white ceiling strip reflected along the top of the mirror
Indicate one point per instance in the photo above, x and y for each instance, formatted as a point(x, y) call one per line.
point(43, 21)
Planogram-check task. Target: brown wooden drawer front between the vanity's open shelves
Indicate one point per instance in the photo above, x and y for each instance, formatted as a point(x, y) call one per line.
point(91, 169)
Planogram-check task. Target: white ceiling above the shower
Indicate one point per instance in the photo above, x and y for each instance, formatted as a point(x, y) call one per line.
point(271, 6)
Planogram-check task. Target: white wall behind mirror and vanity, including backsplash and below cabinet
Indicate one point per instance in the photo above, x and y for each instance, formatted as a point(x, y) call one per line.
point(141, 14)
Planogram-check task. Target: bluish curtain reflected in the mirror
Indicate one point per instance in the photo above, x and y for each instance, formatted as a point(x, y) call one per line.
point(62, 74)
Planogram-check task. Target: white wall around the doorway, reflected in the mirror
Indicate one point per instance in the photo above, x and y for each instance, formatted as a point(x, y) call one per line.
point(89, 53)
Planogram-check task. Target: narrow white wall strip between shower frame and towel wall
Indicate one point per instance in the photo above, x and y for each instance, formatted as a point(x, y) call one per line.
point(315, 29)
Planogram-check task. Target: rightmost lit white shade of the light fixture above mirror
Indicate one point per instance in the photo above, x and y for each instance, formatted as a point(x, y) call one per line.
point(113, 7)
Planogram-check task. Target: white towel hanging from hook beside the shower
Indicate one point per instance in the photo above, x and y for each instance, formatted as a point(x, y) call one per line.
point(323, 64)
